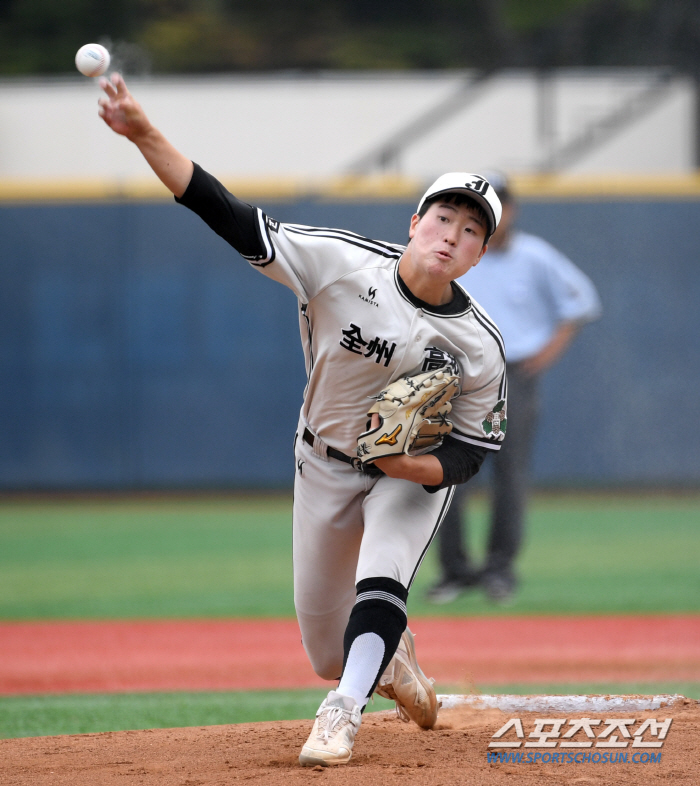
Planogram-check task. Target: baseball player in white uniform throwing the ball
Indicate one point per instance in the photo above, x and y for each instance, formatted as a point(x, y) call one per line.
point(406, 379)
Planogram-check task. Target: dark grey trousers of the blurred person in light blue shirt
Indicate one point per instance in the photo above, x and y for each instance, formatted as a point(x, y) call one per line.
point(509, 486)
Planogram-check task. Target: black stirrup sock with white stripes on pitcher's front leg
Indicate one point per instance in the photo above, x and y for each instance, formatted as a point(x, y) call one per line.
point(381, 609)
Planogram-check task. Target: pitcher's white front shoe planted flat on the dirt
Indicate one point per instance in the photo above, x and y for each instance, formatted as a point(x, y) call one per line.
point(333, 735)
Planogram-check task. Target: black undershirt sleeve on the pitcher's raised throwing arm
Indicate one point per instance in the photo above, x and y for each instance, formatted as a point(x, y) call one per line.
point(235, 221)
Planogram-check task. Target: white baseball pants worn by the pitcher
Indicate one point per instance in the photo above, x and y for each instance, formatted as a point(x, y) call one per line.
point(348, 526)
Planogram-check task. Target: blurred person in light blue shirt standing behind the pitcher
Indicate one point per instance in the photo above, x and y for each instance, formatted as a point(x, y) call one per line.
point(539, 299)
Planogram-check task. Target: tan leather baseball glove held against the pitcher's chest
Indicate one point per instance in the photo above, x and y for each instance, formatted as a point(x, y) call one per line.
point(412, 416)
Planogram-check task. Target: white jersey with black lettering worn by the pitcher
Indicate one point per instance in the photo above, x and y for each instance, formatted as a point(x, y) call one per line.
point(361, 330)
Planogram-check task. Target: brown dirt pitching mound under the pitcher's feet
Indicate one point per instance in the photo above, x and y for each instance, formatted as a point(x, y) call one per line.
point(387, 751)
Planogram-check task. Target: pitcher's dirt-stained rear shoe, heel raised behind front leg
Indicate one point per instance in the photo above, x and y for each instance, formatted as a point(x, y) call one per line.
point(404, 682)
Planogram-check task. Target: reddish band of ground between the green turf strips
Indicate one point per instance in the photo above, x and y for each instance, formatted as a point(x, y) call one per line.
point(196, 655)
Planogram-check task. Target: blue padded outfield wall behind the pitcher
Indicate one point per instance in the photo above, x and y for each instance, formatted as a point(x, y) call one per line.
point(137, 350)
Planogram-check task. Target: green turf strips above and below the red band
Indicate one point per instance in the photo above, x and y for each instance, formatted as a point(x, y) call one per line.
point(230, 556)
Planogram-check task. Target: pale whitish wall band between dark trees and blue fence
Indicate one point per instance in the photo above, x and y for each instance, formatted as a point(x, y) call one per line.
point(301, 129)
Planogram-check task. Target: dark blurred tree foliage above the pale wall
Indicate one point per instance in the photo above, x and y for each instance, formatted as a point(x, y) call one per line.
point(205, 36)
